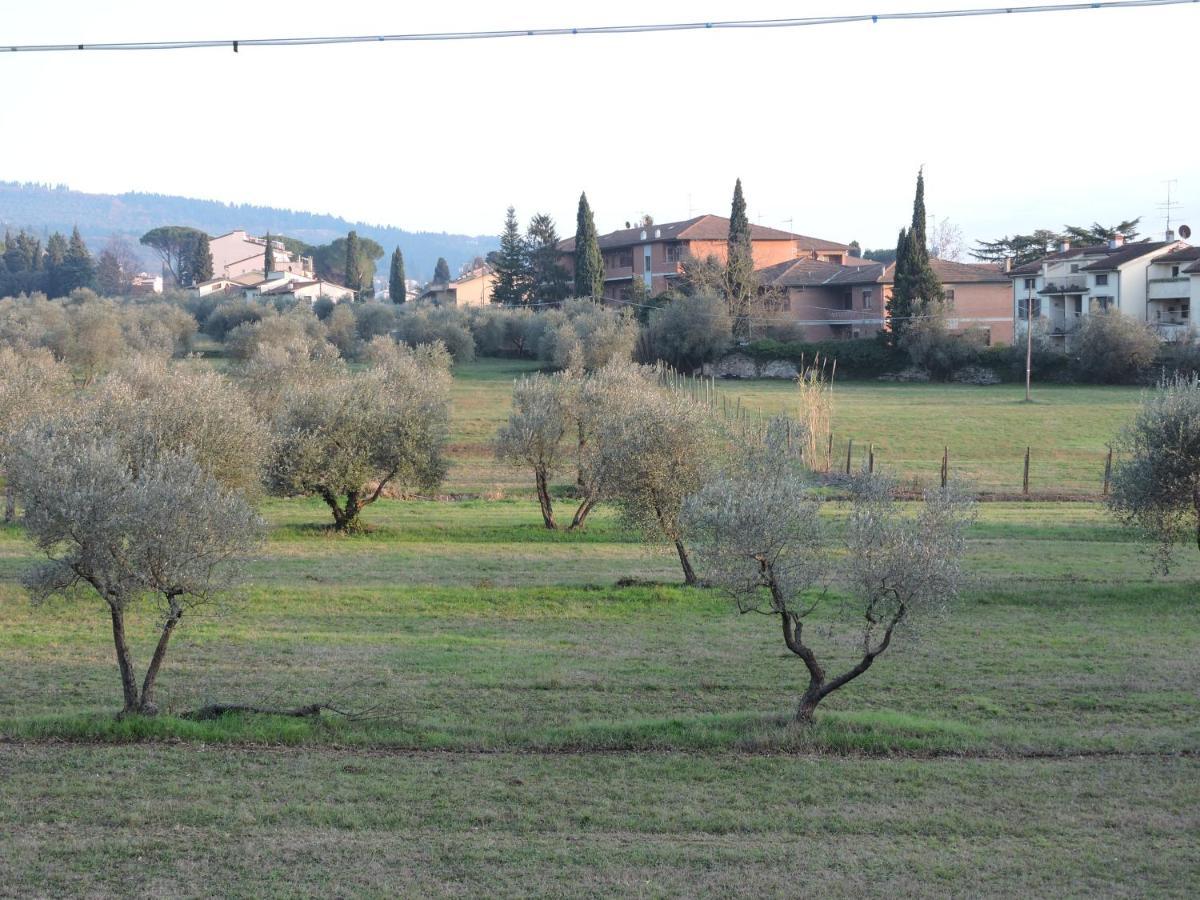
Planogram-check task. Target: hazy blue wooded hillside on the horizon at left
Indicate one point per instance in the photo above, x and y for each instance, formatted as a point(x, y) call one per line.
point(45, 209)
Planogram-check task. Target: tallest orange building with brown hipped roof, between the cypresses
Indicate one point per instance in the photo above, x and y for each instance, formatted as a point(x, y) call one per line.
point(653, 254)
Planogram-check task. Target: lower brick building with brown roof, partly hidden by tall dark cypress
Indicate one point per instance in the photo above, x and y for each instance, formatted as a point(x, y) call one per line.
point(850, 301)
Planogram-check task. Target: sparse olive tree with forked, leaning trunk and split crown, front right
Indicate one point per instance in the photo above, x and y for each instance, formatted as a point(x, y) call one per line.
point(759, 536)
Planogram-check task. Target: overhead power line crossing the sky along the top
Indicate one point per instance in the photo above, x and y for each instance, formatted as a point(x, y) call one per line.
point(729, 25)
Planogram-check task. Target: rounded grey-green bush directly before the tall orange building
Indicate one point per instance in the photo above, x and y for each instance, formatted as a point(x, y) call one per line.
point(687, 333)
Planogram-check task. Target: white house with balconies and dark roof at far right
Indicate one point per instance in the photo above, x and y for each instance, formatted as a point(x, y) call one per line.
point(1069, 285)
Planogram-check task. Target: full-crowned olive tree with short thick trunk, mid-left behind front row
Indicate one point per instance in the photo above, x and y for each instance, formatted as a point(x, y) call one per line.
point(350, 436)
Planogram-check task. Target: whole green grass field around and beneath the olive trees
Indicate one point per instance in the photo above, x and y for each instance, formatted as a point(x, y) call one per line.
point(532, 729)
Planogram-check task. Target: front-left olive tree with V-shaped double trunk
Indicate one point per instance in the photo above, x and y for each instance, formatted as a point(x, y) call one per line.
point(163, 531)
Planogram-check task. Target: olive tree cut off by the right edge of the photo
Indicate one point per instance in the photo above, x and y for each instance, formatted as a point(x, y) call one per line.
point(1156, 483)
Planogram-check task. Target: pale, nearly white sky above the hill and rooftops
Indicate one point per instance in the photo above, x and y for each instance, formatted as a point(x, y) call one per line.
point(1022, 122)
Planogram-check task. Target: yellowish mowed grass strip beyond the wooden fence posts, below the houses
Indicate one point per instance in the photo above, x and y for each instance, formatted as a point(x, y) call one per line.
point(987, 430)
